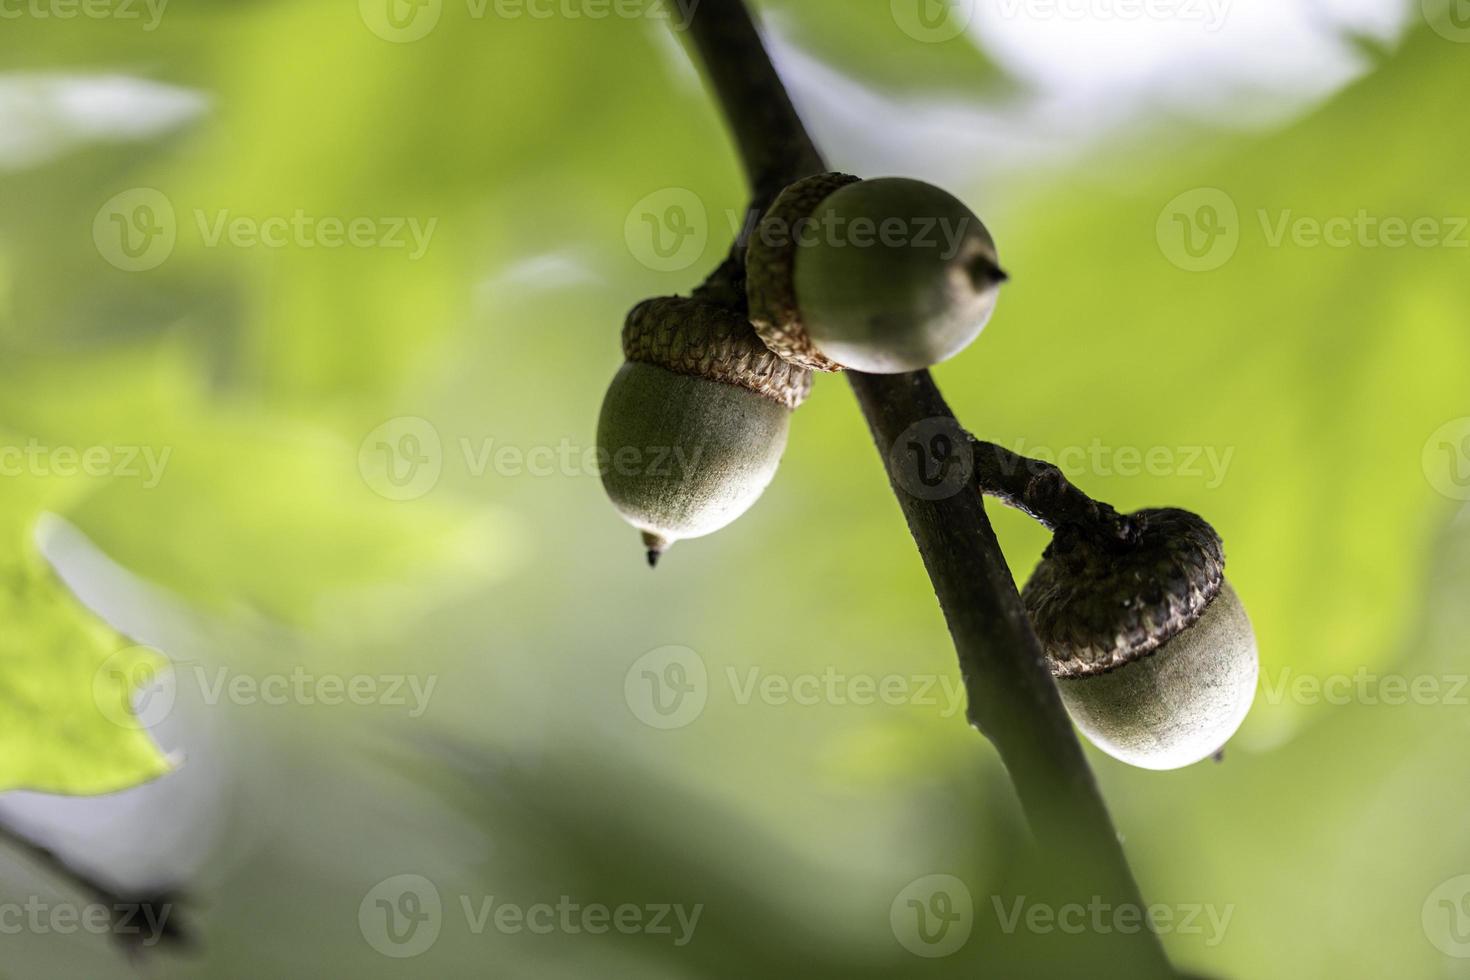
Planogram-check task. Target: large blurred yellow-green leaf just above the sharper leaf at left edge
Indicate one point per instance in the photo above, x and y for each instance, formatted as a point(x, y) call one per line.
point(234, 508)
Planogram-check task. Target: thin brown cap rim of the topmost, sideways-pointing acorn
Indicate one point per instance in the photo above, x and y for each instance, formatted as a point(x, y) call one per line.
point(771, 270)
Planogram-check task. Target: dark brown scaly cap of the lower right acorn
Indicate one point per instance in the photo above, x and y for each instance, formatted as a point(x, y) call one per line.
point(1102, 605)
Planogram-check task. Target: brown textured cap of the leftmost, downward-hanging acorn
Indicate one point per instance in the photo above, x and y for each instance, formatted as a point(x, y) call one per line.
point(693, 337)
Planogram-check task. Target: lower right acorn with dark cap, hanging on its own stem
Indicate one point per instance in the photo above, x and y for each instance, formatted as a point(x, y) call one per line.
point(1150, 646)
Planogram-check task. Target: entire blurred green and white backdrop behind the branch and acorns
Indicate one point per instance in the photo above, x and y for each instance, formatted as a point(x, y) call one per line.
point(1238, 242)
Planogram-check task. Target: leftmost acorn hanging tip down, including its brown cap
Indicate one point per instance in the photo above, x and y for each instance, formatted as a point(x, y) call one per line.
point(695, 422)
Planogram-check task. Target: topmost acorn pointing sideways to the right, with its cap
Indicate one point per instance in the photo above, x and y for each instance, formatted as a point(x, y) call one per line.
point(884, 277)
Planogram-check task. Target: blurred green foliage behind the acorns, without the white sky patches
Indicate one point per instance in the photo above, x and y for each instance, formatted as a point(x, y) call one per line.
point(1324, 372)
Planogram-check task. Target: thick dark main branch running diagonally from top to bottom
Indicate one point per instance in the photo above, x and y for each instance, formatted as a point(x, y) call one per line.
point(1012, 697)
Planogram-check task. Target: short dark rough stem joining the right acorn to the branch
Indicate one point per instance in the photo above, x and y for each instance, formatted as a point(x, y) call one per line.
point(1043, 493)
